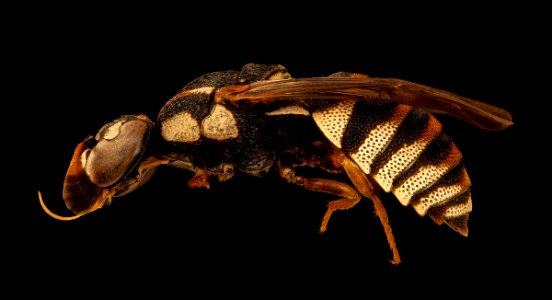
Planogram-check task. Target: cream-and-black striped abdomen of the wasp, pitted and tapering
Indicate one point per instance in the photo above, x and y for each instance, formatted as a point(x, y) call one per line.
point(406, 152)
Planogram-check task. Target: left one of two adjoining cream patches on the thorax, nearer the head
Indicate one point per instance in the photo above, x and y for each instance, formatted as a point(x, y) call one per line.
point(181, 127)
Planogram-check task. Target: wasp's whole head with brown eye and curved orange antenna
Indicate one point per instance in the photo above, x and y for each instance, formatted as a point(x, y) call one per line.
point(109, 164)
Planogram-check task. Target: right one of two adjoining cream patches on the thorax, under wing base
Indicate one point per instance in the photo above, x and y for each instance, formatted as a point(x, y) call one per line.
point(220, 124)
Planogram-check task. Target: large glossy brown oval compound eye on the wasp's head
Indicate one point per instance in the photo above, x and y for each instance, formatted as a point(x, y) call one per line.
point(119, 145)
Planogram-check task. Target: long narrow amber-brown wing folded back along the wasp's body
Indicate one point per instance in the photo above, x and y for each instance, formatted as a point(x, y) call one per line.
point(311, 89)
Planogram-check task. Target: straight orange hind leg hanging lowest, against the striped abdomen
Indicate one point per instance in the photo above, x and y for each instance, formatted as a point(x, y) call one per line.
point(366, 188)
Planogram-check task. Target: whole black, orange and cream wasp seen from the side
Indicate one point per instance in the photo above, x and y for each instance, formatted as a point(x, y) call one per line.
point(381, 133)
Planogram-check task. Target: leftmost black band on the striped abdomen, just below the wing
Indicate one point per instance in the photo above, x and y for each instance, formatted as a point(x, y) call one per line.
point(365, 117)
